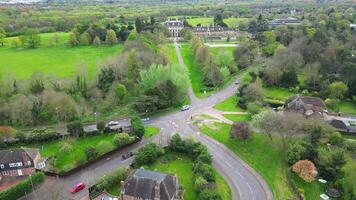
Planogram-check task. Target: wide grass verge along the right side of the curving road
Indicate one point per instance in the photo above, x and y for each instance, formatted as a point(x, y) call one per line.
point(262, 154)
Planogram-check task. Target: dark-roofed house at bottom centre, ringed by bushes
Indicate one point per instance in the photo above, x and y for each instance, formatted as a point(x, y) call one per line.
point(151, 185)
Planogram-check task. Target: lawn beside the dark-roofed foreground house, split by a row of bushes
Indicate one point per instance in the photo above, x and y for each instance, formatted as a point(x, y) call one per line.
point(182, 167)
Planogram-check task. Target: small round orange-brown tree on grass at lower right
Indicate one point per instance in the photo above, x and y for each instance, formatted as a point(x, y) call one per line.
point(306, 170)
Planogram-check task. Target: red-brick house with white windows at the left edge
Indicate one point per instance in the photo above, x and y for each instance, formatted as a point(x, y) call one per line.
point(20, 162)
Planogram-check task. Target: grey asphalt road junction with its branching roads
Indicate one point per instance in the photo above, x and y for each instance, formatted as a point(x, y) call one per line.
point(244, 182)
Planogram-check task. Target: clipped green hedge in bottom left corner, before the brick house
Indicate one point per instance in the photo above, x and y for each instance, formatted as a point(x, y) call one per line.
point(19, 190)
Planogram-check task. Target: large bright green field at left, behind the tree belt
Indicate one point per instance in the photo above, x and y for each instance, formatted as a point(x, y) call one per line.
point(60, 60)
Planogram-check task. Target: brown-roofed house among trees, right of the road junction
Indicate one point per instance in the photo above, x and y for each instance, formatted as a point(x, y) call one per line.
point(305, 105)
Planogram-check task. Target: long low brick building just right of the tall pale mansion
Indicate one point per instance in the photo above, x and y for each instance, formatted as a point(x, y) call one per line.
point(214, 32)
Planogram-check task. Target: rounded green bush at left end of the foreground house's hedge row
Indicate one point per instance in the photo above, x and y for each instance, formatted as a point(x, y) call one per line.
point(147, 154)
